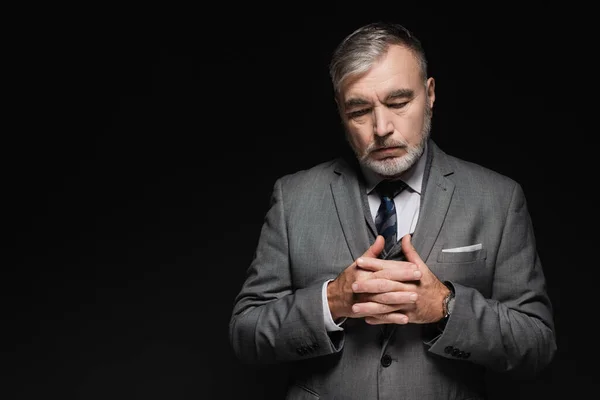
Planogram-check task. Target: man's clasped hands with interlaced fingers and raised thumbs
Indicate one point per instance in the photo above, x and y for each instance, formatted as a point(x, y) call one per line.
point(387, 291)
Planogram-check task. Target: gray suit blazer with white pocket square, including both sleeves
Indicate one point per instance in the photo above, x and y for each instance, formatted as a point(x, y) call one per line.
point(317, 226)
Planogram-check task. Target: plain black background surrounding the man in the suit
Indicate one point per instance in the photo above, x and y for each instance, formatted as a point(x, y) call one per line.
point(143, 145)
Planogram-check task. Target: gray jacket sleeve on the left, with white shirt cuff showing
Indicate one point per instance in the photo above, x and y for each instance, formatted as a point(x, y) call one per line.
point(272, 322)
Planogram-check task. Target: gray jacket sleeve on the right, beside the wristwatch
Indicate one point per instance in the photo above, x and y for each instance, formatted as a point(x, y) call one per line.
point(513, 331)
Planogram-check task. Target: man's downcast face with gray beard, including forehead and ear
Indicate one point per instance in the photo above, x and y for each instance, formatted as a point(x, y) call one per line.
point(387, 113)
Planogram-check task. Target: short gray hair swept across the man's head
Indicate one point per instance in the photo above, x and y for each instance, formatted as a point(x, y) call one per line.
point(358, 51)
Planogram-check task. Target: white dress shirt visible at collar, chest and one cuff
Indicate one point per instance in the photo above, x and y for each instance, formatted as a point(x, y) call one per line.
point(407, 205)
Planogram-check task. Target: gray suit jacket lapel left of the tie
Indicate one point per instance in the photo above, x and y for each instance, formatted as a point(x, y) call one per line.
point(348, 199)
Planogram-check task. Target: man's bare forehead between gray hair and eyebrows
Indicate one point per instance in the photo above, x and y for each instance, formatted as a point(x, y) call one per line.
point(397, 69)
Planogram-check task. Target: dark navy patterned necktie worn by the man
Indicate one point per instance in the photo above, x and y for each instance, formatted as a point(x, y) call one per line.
point(385, 221)
